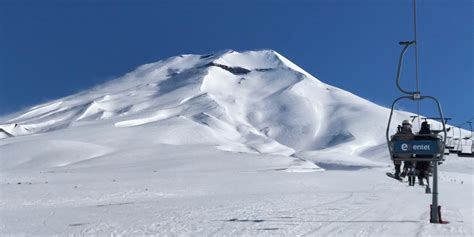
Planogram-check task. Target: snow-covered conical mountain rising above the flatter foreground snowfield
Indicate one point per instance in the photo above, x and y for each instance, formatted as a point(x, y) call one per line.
point(255, 101)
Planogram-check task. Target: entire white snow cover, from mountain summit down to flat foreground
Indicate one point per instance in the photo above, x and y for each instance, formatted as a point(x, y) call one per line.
point(232, 143)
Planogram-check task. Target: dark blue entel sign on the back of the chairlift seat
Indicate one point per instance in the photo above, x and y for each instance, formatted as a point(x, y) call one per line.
point(416, 147)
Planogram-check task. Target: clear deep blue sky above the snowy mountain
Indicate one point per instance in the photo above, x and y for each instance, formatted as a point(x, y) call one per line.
point(51, 49)
